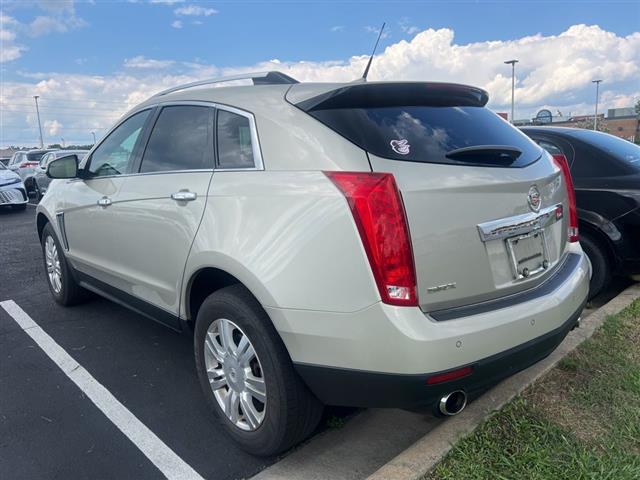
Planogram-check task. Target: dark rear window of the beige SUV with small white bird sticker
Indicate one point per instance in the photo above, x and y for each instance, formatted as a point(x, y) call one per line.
point(430, 134)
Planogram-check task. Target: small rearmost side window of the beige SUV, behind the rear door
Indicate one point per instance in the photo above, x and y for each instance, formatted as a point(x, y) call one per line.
point(235, 149)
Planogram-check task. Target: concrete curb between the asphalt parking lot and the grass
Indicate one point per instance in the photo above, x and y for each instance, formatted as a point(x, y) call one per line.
point(422, 456)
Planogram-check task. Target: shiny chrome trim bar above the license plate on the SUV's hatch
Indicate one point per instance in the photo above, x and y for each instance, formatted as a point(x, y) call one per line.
point(520, 224)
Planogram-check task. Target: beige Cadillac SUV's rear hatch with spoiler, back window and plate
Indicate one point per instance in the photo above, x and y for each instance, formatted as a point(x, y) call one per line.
point(486, 206)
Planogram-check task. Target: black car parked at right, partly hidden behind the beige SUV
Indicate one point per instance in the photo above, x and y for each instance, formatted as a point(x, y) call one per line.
point(606, 178)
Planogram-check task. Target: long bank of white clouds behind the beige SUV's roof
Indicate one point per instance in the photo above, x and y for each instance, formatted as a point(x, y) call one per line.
point(554, 72)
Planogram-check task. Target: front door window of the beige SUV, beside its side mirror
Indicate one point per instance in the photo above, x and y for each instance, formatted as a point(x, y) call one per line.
point(114, 155)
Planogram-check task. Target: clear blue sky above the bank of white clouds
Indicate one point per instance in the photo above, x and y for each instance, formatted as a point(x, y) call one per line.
point(247, 32)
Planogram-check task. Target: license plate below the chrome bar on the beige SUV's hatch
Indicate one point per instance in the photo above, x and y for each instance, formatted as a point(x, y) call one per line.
point(528, 254)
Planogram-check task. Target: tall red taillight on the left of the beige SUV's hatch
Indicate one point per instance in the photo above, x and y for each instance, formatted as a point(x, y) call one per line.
point(379, 214)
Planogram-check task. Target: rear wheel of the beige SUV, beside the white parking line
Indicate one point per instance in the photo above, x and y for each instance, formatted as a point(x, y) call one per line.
point(290, 413)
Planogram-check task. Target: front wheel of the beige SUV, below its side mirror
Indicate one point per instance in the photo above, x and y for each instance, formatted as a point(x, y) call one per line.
point(66, 291)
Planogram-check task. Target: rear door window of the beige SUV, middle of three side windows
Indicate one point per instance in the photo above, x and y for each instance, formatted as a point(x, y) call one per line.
point(180, 140)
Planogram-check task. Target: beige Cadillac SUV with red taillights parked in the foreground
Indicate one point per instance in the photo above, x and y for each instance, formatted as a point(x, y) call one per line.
point(383, 244)
